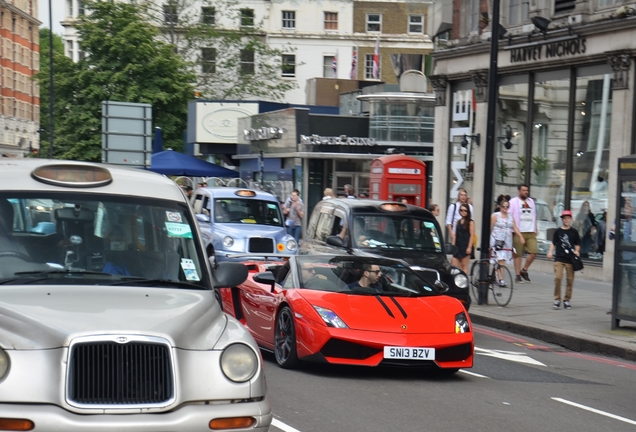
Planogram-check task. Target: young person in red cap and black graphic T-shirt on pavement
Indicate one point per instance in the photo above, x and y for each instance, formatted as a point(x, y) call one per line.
point(567, 243)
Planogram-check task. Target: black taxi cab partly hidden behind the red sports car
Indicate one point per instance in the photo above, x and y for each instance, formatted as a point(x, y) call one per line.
point(386, 229)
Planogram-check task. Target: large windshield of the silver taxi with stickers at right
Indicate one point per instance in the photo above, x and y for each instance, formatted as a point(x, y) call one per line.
point(97, 239)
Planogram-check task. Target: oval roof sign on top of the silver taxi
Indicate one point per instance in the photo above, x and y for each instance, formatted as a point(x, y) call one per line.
point(79, 176)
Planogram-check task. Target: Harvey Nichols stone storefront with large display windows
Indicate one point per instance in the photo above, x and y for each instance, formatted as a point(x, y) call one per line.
point(564, 109)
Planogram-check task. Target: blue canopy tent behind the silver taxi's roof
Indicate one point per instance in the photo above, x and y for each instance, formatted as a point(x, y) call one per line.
point(170, 162)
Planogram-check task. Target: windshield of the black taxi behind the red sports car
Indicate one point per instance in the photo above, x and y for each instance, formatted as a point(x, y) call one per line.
point(396, 232)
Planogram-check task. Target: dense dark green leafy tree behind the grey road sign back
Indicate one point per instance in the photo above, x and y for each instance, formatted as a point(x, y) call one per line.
point(124, 62)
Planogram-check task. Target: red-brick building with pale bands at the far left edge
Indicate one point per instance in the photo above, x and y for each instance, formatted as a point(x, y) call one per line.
point(19, 58)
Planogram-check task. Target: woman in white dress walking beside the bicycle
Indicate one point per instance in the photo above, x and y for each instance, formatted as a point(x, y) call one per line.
point(502, 227)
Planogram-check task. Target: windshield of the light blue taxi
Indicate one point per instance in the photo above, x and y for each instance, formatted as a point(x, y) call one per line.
point(247, 211)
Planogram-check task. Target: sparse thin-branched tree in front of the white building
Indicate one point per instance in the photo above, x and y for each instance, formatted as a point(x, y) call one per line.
point(228, 51)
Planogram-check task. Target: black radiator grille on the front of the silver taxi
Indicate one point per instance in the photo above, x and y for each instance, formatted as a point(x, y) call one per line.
point(109, 373)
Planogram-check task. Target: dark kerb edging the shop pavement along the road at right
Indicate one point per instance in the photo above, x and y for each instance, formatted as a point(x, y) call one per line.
point(572, 342)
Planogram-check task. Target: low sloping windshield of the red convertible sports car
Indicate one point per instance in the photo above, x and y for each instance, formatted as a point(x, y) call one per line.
point(362, 276)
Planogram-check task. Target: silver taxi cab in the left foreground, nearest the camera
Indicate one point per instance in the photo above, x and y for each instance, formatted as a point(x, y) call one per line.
point(108, 313)
